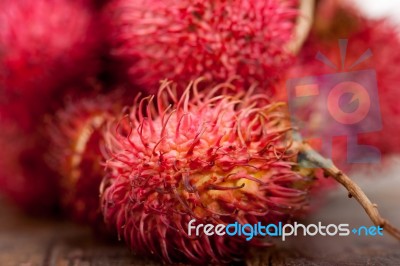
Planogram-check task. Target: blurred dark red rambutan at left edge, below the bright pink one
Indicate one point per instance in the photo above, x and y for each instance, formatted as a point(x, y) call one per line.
point(25, 178)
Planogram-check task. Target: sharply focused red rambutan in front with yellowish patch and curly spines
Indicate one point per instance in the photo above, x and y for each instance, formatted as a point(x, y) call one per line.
point(217, 159)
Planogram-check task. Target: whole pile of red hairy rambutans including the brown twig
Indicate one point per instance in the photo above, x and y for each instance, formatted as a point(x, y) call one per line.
point(137, 117)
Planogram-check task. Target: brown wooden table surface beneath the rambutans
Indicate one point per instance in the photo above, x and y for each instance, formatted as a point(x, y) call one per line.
point(30, 241)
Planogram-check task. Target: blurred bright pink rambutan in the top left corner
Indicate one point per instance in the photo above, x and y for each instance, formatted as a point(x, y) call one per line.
point(45, 45)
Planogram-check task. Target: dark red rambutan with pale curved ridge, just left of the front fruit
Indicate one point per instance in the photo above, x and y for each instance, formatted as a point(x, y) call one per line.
point(76, 134)
